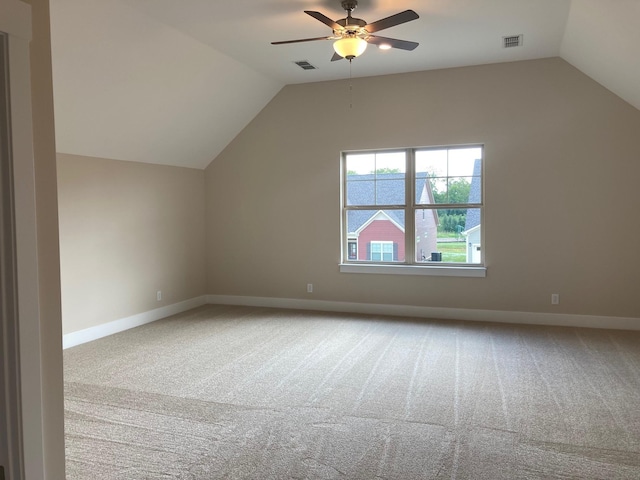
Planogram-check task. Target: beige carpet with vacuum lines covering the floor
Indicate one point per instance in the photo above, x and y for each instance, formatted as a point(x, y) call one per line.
point(231, 392)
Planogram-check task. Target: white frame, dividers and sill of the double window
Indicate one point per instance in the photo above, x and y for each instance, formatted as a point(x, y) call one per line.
point(409, 266)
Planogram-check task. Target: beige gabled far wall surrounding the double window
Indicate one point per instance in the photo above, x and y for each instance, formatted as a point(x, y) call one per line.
point(561, 200)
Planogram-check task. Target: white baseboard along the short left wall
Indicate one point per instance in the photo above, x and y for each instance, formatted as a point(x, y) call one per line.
point(99, 331)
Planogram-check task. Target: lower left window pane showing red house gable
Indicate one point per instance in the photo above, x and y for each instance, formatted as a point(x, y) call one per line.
point(379, 235)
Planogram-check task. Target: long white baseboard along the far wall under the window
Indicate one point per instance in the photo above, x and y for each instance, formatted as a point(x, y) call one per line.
point(527, 318)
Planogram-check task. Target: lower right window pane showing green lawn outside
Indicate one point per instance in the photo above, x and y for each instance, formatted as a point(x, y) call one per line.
point(448, 235)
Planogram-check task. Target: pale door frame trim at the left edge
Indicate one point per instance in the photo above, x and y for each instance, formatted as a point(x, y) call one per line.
point(15, 21)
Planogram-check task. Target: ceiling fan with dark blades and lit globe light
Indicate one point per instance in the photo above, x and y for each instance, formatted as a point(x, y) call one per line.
point(352, 35)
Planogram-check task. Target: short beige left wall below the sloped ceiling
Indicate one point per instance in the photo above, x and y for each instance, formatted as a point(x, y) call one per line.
point(127, 230)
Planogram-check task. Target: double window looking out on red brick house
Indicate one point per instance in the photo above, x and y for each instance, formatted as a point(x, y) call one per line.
point(433, 193)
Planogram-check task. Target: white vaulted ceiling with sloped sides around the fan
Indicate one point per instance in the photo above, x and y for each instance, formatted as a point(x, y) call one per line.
point(168, 82)
